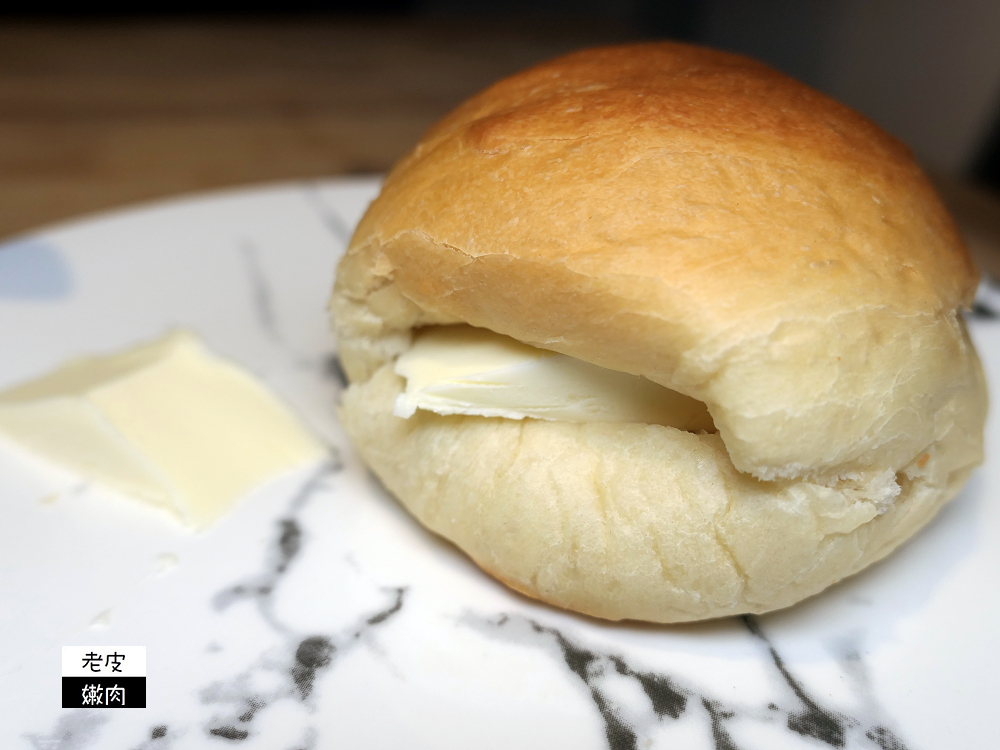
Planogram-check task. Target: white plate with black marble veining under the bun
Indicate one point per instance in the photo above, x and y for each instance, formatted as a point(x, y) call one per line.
point(319, 615)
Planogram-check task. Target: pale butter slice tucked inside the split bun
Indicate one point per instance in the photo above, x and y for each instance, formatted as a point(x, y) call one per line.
point(465, 370)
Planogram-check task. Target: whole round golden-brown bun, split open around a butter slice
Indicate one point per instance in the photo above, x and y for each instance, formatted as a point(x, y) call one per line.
point(720, 229)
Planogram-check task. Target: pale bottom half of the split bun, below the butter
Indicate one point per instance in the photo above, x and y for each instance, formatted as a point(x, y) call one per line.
point(644, 522)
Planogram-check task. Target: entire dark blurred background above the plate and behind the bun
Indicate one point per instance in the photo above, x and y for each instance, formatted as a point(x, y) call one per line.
point(101, 108)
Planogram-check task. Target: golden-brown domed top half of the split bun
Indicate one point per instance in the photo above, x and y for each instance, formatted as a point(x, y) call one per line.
point(694, 217)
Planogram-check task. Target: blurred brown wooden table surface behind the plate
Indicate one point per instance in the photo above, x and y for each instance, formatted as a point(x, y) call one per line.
point(100, 115)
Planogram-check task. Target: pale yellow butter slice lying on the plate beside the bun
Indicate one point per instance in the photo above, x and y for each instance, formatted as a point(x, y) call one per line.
point(166, 422)
